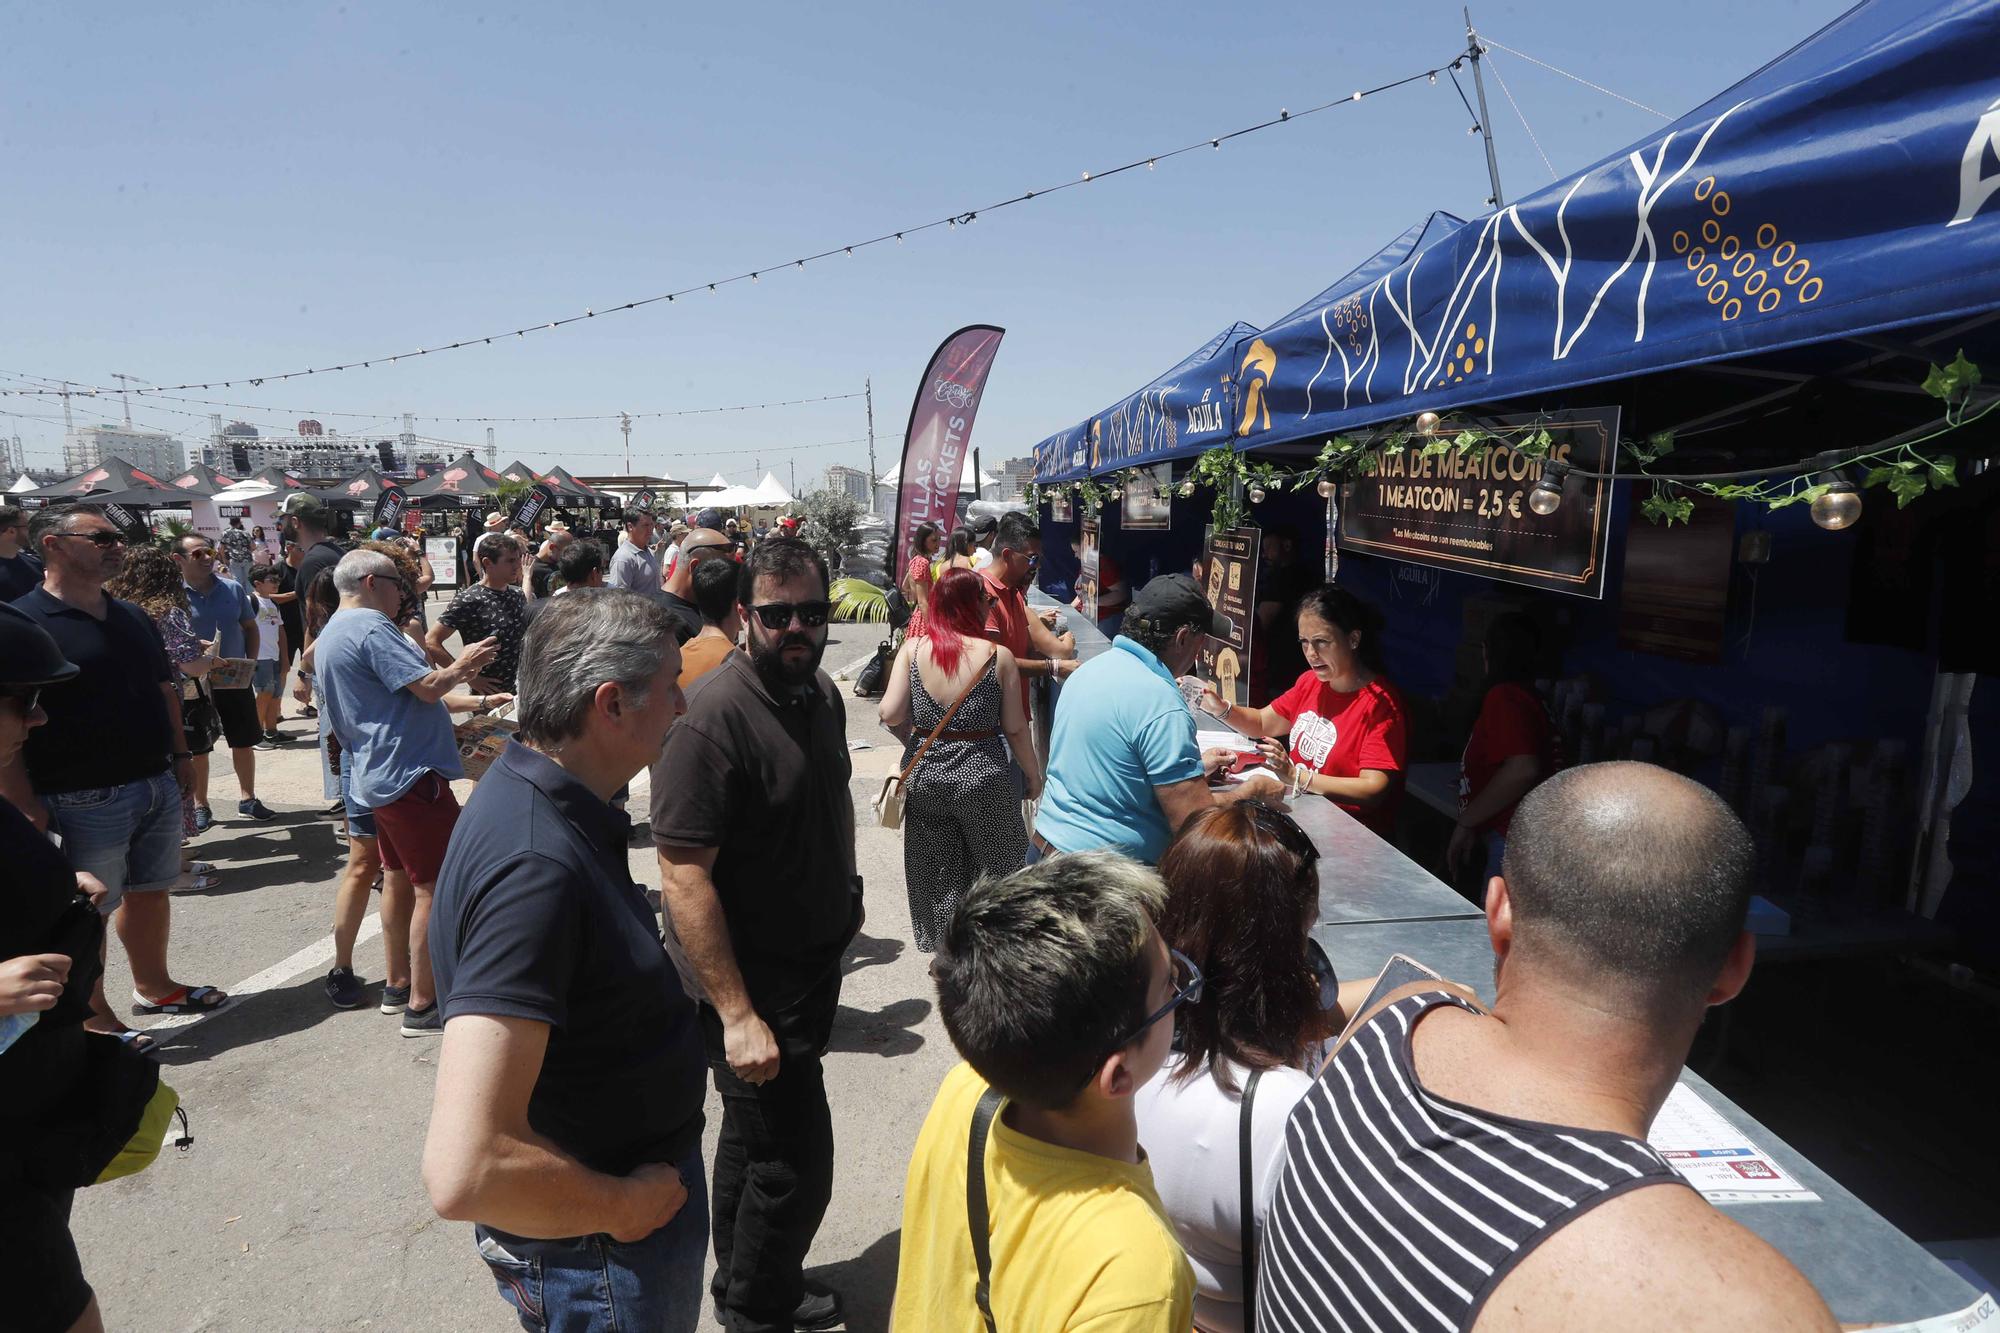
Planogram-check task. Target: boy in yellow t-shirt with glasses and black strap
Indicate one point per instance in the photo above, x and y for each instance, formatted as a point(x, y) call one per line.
point(1057, 990)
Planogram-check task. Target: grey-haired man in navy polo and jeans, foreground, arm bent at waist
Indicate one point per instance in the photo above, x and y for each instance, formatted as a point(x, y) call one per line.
point(569, 1098)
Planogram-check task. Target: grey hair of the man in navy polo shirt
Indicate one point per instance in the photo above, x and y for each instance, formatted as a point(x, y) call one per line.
point(579, 641)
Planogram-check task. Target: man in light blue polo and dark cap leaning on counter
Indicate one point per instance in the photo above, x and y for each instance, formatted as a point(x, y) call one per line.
point(1123, 766)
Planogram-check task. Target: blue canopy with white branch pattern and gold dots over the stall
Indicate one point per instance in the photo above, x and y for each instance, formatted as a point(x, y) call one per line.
point(1839, 193)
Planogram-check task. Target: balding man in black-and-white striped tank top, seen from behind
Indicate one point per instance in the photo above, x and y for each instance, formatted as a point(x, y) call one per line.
point(1459, 1168)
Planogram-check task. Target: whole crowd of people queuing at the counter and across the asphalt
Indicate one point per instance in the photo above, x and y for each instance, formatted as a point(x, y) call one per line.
point(1171, 1112)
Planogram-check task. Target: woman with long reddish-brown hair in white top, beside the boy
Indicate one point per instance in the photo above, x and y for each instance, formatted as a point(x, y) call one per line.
point(1243, 896)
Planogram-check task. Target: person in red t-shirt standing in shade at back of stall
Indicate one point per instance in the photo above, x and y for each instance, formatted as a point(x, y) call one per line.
point(1511, 750)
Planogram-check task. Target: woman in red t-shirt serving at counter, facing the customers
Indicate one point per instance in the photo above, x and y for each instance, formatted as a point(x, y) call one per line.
point(1343, 722)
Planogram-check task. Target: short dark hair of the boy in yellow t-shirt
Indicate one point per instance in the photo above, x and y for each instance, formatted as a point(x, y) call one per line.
point(1043, 974)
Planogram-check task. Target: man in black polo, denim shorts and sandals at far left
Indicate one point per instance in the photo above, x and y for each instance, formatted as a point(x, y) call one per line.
point(111, 764)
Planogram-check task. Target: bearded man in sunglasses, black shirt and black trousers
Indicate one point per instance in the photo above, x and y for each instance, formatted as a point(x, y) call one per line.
point(755, 828)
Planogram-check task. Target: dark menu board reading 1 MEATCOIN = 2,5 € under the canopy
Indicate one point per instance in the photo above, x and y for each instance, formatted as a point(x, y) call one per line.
point(1469, 511)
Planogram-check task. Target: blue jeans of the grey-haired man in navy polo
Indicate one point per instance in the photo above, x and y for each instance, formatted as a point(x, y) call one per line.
point(593, 1284)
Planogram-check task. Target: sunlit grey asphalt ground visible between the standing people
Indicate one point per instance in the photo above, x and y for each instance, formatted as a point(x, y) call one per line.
point(301, 1204)
